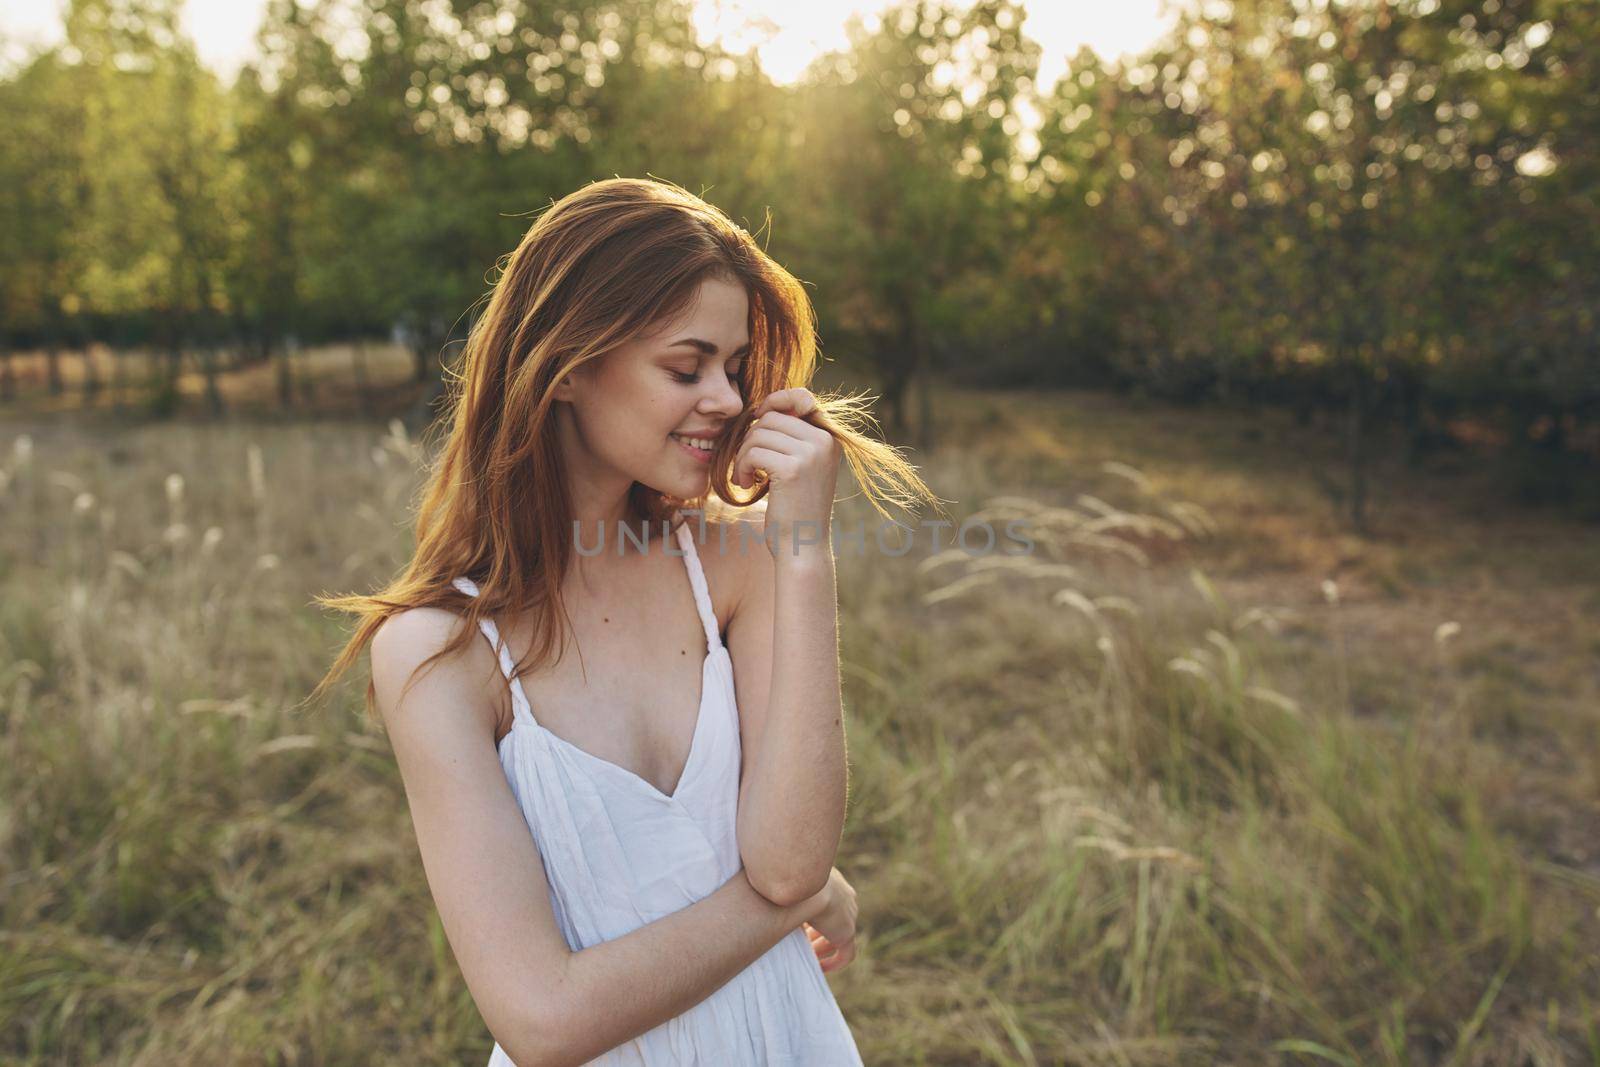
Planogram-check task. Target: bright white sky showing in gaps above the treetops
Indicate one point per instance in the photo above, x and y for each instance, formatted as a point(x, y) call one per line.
point(225, 31)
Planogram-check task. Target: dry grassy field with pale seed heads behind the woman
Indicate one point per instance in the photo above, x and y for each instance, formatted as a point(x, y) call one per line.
point(1204, 780)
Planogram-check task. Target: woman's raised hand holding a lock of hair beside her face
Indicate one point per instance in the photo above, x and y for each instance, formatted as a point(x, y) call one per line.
point(801, 460)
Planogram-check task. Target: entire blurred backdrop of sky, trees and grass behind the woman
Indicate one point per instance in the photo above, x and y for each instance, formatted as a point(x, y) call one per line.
point(1278, 319)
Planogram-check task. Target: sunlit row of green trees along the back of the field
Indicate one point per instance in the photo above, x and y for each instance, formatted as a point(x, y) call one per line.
point(1378, 210)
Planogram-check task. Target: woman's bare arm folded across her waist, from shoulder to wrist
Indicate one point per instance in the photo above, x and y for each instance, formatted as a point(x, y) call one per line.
point(543, 1002)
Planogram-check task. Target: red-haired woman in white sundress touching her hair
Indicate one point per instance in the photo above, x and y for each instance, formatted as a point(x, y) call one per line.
point(633, 852)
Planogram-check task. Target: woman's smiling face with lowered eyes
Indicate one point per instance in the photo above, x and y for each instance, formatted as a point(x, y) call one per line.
point(625, 417)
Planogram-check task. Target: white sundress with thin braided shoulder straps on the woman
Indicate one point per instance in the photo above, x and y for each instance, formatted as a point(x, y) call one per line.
point(620, 853)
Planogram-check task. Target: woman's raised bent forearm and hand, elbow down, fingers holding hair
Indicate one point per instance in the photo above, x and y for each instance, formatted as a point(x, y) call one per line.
point(785, 645)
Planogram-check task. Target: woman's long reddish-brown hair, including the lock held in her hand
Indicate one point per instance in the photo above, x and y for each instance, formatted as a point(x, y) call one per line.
point(596, 270)
